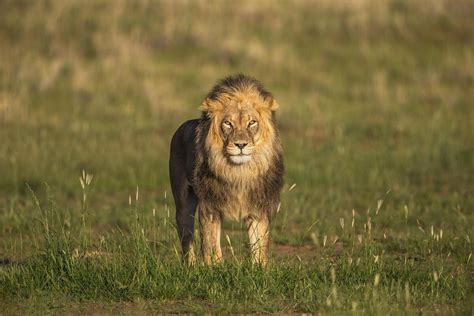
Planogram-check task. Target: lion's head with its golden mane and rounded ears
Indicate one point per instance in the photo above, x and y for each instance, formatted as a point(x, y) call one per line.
point(240, 137)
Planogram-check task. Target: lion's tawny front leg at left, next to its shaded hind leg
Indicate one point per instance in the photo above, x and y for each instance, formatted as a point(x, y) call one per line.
point(210, 229)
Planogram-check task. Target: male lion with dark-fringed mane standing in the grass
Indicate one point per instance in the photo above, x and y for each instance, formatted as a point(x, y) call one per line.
point(228, 164)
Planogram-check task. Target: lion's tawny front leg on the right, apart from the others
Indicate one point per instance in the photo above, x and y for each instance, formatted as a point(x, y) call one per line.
point(258, 229)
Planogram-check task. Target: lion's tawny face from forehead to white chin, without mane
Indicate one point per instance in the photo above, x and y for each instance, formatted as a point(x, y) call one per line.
point(240, 132)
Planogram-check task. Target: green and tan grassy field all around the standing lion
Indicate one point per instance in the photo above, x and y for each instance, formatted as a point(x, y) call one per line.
point(376, 118)
